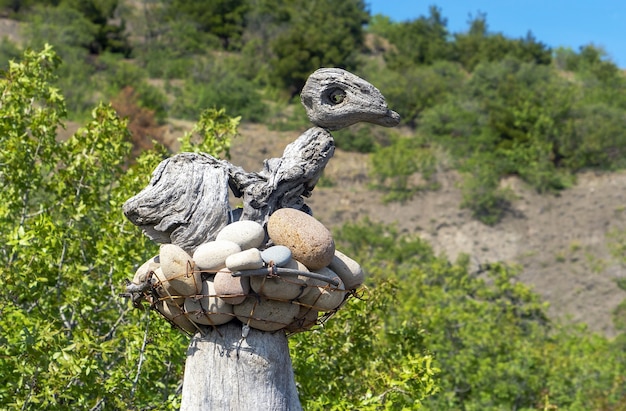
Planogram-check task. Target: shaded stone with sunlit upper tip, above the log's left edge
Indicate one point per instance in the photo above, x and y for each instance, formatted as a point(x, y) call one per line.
point(207, 308)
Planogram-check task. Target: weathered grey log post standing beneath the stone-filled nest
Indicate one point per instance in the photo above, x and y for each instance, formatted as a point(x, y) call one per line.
point(225, 372)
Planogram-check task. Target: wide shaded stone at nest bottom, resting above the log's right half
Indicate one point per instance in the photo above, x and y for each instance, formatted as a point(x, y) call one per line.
point(266, 315)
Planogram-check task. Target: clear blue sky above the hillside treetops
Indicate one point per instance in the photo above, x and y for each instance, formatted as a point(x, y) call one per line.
point(572, 23)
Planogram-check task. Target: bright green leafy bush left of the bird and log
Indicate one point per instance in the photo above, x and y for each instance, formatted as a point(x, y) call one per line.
point(67, 340)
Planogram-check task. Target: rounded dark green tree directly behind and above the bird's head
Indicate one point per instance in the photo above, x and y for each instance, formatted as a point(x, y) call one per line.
point(303, 36)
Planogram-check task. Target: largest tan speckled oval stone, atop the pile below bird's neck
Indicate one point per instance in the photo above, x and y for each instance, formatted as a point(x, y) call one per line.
point(309, 241)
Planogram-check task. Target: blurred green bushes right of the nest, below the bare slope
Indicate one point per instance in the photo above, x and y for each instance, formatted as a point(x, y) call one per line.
point(489, 334)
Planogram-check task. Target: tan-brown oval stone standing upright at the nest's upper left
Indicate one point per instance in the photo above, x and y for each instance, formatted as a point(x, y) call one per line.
point(178, 268)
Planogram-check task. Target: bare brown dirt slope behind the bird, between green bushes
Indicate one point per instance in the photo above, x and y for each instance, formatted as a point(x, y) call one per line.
point(560, 241)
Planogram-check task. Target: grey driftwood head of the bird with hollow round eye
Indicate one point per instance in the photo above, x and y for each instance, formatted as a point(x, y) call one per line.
point(335, 98)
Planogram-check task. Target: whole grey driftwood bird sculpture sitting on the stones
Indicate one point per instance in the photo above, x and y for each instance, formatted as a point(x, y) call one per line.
point(186, 202)
